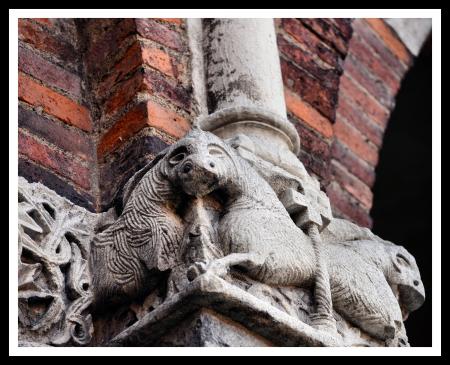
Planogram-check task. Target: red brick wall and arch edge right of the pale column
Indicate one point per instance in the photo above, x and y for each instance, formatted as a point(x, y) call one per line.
point(341, 77)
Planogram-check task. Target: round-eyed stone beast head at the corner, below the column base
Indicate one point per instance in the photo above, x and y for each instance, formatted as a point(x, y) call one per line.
point(200, 163)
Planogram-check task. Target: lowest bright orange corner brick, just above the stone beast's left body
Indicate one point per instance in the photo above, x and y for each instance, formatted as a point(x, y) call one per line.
point(146, 113)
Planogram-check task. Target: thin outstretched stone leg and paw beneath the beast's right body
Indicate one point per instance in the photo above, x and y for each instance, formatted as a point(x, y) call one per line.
point(220, 267)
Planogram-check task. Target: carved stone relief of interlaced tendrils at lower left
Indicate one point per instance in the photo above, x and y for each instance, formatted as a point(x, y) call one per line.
point(54, 282)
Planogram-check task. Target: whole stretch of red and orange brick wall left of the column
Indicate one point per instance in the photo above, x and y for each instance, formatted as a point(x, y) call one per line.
point(98, 98)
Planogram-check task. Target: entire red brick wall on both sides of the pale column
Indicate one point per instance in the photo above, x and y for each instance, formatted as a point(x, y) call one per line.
point(98, 98)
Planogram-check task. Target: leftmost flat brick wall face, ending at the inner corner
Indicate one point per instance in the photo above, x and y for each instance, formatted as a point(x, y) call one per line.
point(55, 123)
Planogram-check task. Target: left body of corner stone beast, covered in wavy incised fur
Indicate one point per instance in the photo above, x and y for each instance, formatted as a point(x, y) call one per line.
point(128, 256)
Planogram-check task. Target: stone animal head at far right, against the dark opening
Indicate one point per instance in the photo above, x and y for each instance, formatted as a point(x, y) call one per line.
point(404, 277)
